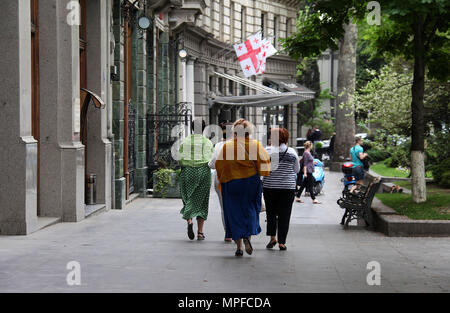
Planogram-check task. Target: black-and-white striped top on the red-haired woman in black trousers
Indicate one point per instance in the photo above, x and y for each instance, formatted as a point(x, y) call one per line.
point(284, 172)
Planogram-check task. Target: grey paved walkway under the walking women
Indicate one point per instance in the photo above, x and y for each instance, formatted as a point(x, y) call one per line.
point(145, 249)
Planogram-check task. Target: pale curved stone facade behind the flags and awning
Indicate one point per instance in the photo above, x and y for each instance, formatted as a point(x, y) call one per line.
point(208, 30)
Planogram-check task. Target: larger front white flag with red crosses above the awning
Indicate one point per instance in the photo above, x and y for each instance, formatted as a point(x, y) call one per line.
point(249, 55)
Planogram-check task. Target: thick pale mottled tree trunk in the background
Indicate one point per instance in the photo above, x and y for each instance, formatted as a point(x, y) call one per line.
point(345, 119)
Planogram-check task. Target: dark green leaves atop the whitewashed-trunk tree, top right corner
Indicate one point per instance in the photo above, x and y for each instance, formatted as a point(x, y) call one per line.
point(395, 35)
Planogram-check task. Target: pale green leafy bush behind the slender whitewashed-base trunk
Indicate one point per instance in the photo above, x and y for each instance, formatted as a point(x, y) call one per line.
point(386, 100)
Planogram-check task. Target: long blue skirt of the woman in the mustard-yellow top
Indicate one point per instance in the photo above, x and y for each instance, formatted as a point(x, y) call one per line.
point(242, 206)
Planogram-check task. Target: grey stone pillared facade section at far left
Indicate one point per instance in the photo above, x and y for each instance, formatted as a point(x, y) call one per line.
point(49, 66)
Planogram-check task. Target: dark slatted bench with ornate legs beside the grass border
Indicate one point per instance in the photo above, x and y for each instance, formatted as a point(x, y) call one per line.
point(358, 205)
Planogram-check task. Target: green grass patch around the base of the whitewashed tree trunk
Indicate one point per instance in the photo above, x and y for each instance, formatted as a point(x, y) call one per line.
point(437, 206)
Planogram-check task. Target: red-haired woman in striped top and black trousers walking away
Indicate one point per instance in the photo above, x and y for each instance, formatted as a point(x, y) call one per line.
point(279, 188)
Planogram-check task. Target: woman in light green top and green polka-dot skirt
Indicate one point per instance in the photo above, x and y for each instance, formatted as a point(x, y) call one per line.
point(195, 179)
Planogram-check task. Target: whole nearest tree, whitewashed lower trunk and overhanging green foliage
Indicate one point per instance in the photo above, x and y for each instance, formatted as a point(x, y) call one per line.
point(418, 30)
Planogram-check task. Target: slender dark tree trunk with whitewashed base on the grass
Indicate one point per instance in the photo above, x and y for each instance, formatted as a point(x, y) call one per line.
point(419, 194)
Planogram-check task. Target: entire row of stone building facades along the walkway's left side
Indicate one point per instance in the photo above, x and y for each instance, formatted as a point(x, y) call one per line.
point(84, 84)
